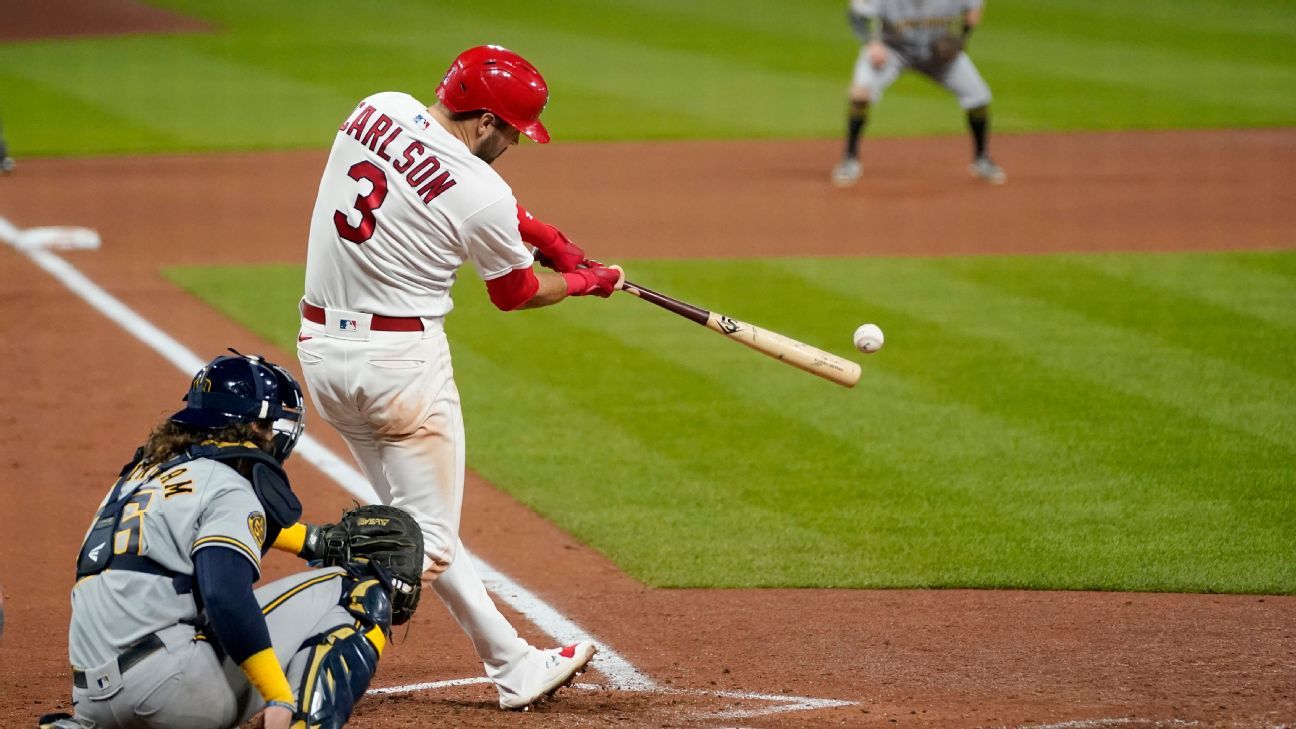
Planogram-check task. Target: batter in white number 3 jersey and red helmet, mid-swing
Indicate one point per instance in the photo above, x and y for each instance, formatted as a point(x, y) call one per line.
point(408, 198)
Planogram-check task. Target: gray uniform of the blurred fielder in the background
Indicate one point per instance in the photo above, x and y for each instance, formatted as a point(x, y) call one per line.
point(910, 30)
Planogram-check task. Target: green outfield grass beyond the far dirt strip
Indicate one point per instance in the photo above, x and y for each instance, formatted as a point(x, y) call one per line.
point(281, 75)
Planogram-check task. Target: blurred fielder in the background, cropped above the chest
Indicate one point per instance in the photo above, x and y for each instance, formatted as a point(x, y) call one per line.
point(927, 37)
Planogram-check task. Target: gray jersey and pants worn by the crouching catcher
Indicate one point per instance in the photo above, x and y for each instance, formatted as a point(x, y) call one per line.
point(138, 654)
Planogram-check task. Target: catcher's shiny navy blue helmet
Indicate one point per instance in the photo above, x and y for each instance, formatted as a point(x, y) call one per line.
point(243, 390)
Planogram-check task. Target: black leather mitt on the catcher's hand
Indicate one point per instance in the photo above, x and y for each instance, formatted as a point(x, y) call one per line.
point(384, 535)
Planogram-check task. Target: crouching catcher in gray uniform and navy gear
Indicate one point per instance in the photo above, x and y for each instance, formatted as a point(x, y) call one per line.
point(167, 628)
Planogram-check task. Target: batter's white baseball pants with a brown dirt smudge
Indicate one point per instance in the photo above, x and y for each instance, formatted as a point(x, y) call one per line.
point(393, 399)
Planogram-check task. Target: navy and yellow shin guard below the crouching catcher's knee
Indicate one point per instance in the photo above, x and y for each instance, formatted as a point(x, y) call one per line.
point(339, 670)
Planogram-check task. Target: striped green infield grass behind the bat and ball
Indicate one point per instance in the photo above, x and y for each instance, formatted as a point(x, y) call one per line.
point(1079, 422)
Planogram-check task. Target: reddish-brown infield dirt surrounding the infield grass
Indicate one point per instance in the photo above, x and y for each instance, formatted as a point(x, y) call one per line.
point(80, 392)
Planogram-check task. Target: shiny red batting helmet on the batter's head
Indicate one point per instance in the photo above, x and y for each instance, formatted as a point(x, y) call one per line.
point(498, 81)
